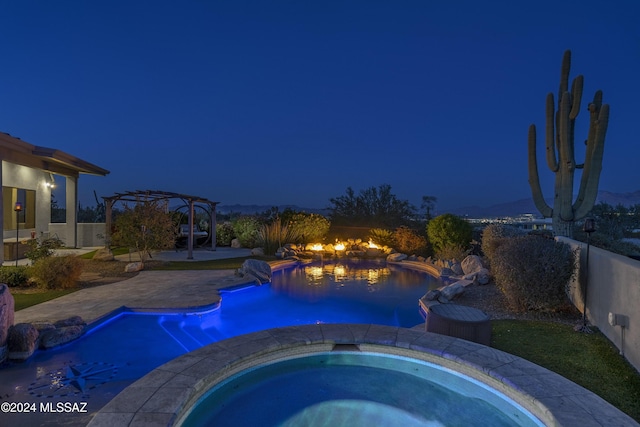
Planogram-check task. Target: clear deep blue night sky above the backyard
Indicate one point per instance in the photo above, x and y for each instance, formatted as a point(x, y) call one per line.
point(291, 102)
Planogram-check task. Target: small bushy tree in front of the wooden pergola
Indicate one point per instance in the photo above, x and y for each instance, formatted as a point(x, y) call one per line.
point(145, 227)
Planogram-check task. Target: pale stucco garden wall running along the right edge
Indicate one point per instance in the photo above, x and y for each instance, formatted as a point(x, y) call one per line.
point(613, 287)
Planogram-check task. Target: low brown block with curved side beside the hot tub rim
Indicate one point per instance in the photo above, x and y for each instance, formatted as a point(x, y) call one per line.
point(458, 321)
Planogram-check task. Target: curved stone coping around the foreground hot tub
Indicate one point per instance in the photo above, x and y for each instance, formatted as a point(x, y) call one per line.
point(166, 393)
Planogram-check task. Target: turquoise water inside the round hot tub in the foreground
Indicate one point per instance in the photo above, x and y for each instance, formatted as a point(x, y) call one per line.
point(354, 389)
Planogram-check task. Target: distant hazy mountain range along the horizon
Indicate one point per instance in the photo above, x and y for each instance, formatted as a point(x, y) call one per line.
point(514, 208)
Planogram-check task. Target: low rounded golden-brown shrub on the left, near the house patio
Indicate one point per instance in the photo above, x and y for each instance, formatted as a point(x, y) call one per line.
point(57, 272)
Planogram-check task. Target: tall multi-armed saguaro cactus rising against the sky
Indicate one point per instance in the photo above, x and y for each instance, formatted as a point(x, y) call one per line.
point(559, 140)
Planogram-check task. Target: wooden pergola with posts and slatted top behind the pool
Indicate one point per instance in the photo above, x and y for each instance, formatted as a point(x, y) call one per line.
point(154, 195)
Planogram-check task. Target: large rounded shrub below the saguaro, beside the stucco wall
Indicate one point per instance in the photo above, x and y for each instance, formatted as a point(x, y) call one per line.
point(533, 272)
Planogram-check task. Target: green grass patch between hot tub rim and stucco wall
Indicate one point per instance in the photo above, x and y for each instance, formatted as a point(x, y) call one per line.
point(589, 360)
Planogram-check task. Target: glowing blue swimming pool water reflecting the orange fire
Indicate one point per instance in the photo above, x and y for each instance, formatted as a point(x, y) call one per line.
point(122, 350)
